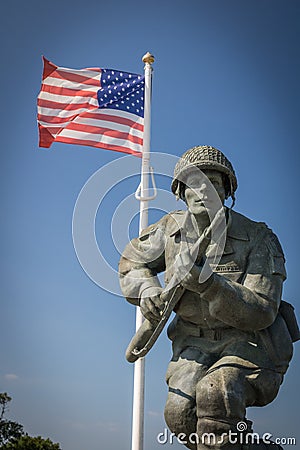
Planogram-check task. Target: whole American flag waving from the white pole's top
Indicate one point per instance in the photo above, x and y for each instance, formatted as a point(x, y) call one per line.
point(97, 107)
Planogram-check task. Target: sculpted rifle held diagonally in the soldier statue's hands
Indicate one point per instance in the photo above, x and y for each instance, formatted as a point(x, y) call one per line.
point(148, 333)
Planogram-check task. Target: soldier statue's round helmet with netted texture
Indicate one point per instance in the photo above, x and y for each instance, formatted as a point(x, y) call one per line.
point(204, 157)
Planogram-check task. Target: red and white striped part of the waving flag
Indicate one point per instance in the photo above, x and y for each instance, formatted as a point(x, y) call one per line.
point(68, 111)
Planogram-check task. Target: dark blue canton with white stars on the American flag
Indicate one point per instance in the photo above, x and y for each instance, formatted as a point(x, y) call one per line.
point(123, 91)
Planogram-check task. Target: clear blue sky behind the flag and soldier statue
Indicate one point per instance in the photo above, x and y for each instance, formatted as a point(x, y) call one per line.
point(227, 75)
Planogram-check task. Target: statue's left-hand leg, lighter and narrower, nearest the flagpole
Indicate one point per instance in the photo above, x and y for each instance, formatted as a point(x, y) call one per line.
point(180, 410)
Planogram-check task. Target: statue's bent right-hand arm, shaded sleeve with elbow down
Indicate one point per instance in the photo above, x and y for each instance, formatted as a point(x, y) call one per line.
point(252, 305)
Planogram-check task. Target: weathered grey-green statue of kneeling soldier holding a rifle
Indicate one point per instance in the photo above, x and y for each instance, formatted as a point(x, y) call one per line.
point(232, 334)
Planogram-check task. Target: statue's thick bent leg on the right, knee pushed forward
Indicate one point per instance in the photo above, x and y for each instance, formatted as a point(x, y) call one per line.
point(222, 397)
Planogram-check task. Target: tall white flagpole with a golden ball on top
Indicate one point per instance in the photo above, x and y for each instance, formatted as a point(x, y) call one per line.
point(139, 365)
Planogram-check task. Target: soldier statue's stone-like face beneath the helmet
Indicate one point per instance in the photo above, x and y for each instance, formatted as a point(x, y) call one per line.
point(198, 190)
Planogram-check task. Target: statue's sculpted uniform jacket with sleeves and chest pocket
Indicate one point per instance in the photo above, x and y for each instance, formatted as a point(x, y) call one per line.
point(240, 301)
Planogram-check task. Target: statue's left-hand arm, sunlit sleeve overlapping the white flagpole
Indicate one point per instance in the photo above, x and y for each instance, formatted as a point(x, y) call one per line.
point(141, 261)
